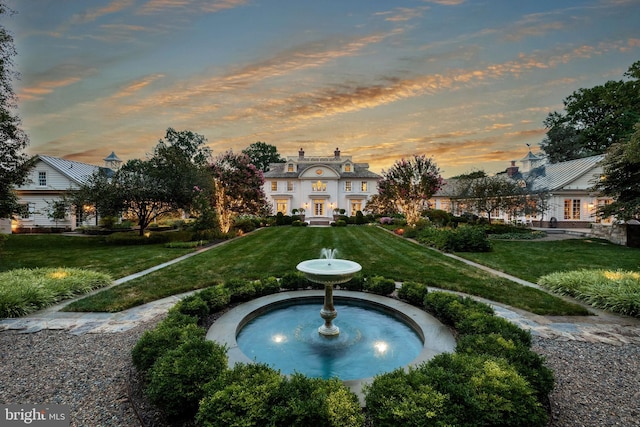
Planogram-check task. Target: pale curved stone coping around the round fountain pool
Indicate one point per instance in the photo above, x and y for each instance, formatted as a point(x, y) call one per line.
point(436, 337)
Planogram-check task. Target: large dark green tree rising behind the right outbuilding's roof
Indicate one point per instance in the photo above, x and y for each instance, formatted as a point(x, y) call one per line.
point(594, 118)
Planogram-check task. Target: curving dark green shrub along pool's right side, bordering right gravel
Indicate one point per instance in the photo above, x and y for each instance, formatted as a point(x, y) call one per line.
point(528, 363)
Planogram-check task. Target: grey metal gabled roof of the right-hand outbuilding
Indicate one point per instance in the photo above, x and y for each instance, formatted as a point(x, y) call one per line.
point(553, 176)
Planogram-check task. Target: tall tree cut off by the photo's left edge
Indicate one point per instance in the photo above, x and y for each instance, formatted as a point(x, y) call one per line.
point(14, 164)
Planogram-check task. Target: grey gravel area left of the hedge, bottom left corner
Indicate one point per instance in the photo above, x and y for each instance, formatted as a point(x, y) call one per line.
point(87, 372)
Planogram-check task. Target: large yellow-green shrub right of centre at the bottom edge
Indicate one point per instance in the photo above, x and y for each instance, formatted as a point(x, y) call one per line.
point(483, 390)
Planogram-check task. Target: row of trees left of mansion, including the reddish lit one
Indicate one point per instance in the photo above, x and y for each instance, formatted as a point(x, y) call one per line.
point(180, 176)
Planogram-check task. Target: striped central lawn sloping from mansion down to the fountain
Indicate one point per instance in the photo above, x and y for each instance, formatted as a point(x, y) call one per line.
point(276, 251)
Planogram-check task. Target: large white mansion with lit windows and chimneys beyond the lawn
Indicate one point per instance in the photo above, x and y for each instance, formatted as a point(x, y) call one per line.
point(318, 186)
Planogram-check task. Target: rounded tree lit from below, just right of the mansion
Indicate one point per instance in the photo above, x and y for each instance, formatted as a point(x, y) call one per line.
point(409, 184)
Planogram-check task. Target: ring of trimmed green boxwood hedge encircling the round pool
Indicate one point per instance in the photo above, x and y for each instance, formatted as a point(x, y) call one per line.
point(493, 379)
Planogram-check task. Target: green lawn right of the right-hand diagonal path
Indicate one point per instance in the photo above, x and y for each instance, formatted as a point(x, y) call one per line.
point(530, 260)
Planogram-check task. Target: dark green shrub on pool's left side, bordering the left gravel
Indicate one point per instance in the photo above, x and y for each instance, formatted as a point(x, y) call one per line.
point(167, 336)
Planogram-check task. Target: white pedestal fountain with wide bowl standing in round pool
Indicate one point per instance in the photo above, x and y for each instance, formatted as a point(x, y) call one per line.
point(329, 271)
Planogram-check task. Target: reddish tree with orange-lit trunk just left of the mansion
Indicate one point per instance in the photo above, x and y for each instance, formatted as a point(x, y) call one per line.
point(237, 188)
